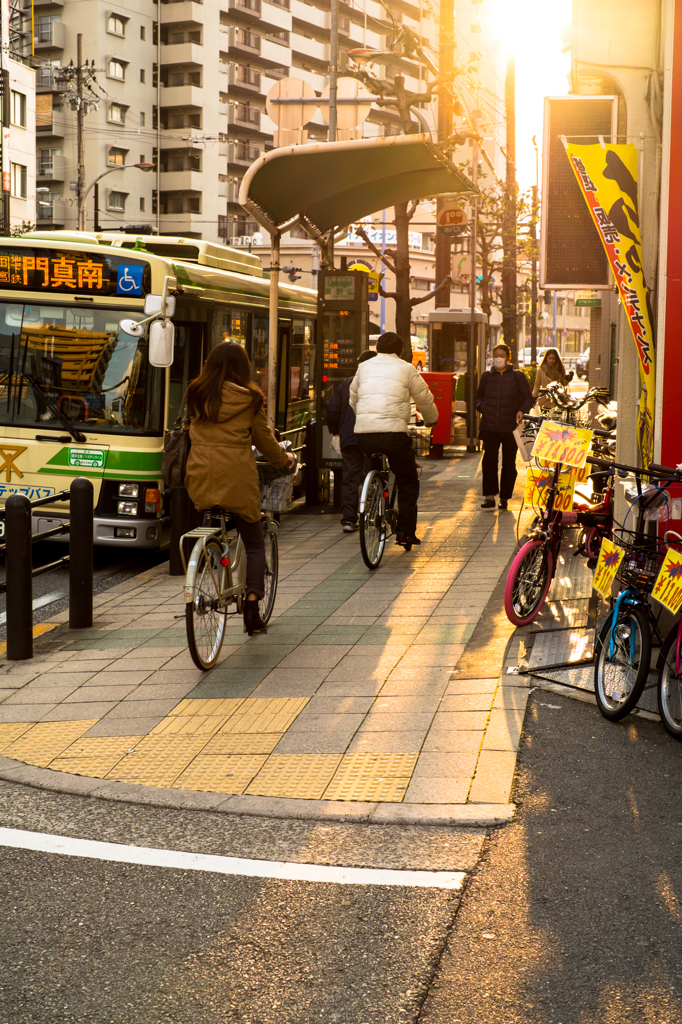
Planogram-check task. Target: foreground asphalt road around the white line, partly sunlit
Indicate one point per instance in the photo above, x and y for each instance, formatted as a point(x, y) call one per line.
point(572, 915)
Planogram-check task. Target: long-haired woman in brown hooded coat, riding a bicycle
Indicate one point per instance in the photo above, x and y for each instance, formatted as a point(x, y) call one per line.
point(227, 417)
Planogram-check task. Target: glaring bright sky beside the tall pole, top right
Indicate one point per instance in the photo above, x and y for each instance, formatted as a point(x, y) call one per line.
point(533, 30)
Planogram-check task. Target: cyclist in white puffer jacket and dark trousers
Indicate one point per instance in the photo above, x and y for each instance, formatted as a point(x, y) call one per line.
point(380, 397)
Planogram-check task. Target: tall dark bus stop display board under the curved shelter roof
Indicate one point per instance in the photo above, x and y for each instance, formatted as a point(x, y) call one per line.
point(343, 335)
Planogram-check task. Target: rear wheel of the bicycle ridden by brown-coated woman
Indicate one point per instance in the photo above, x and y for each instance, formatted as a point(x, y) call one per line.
point(206, 615)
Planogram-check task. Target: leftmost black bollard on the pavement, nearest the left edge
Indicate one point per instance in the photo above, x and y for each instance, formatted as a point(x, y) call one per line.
point(20, 581)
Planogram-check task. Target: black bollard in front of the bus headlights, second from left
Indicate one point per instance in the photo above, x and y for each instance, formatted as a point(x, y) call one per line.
point(81, 515)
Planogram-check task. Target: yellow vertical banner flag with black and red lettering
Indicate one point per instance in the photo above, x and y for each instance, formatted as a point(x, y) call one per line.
point(608, 177)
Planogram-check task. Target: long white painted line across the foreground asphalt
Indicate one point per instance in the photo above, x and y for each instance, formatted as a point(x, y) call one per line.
point(65, 845)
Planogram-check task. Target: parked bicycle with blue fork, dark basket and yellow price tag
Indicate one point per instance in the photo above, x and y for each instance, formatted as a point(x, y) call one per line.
point(623, 652)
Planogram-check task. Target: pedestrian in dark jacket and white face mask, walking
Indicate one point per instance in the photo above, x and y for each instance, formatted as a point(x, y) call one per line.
point(504, 396)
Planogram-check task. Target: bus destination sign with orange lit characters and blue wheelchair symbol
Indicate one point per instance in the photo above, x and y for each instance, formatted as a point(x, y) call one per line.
point(66, 272)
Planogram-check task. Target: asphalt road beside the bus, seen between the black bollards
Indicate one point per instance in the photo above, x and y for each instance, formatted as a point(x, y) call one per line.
point(51, 592)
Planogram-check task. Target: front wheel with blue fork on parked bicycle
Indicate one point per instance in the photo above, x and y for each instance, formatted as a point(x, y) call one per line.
point(622, 667)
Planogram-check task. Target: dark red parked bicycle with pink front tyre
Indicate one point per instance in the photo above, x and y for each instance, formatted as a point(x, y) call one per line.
point(534, 568)
